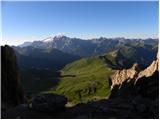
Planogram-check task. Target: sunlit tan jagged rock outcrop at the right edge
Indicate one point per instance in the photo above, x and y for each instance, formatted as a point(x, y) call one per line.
point(133, 73)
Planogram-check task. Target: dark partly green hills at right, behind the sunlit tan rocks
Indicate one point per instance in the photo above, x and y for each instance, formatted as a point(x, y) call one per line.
point(126, 55)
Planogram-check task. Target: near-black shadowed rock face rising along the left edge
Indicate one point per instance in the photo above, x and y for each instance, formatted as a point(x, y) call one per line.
point(12, 91)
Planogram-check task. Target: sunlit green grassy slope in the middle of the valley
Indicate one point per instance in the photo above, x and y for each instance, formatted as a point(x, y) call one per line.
point(85, 80)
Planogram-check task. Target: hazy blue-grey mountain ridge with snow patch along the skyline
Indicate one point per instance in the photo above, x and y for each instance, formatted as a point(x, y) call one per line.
point(89, 47)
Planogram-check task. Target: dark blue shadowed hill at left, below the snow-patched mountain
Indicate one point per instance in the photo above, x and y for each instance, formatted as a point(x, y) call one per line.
point(49, 58)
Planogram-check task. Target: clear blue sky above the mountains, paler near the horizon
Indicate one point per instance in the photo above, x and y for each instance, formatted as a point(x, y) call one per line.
point(29, 21)
